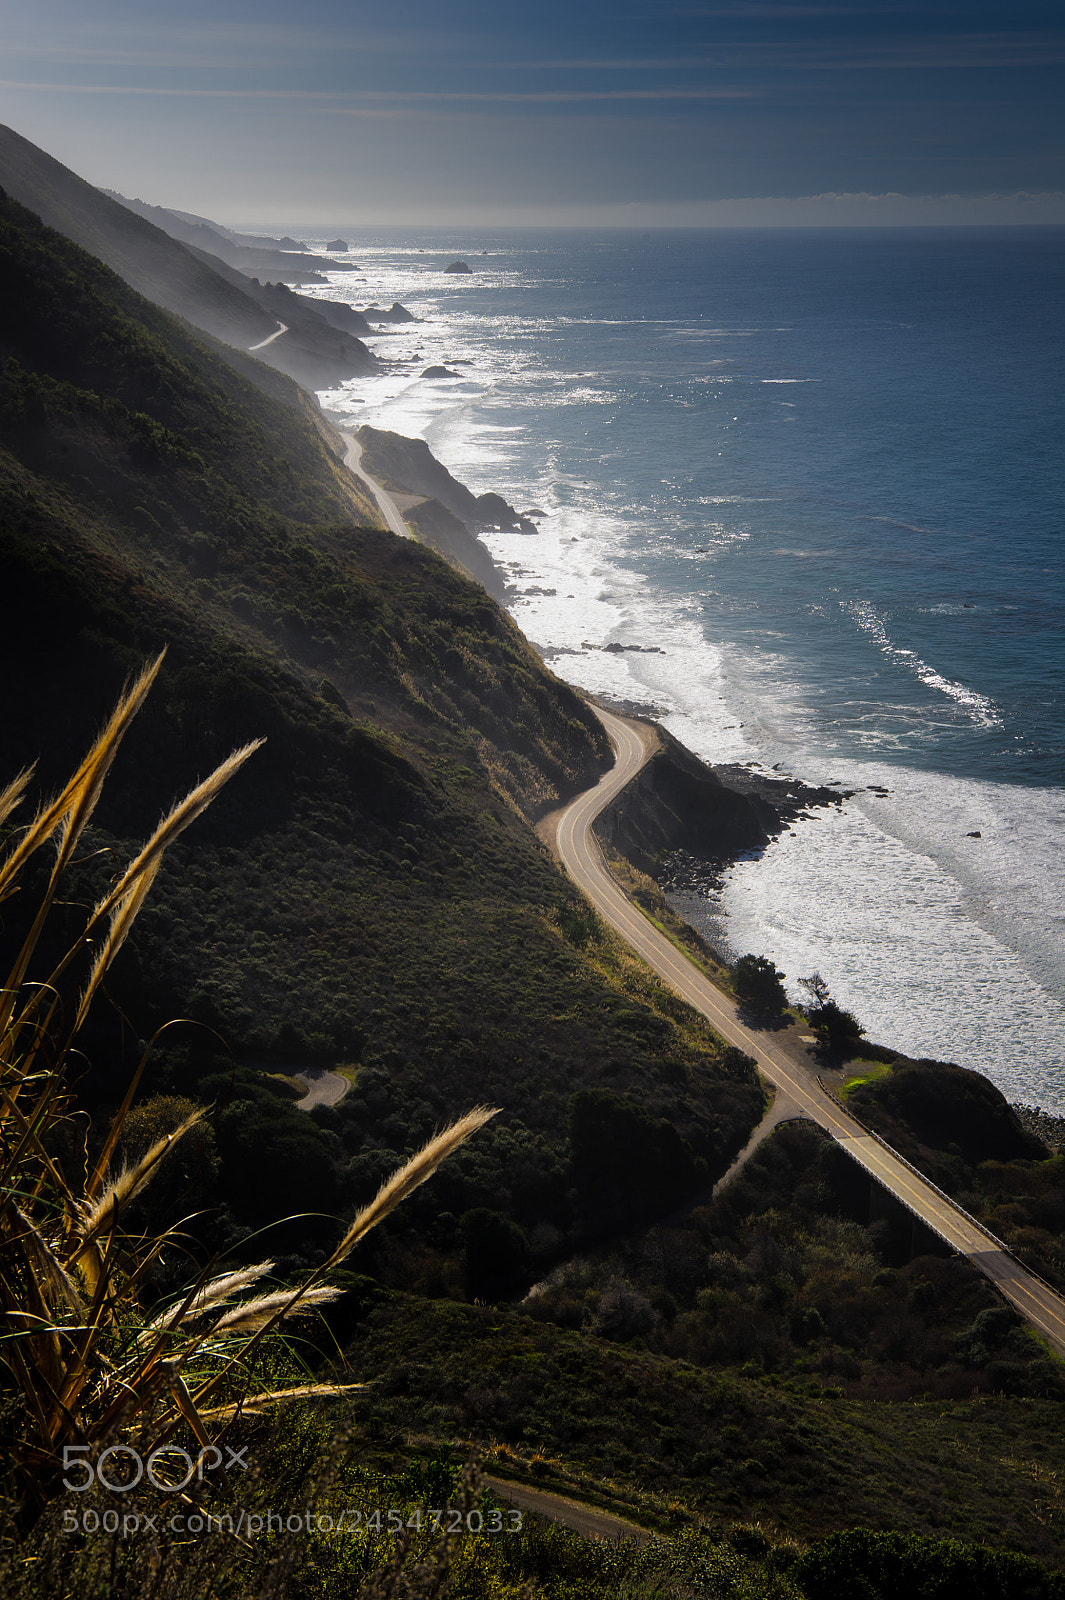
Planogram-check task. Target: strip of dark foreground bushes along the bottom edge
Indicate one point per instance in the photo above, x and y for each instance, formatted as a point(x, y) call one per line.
point(529, 1558)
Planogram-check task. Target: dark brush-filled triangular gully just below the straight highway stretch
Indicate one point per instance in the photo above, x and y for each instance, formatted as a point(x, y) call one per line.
point(802, 1268)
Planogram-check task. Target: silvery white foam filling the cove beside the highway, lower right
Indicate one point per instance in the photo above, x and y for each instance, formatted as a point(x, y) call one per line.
point(887, 922)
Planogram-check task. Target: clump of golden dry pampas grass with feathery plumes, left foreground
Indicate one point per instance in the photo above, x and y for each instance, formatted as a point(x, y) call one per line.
point(87, 1364)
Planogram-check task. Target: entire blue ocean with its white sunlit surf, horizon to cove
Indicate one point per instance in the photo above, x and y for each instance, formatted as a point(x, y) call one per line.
point(812, 484)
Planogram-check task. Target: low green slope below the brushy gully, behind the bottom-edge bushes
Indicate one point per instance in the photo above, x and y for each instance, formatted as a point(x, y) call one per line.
point(674, 1444)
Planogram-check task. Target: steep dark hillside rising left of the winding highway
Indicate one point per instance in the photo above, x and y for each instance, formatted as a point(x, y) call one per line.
point(370, 892)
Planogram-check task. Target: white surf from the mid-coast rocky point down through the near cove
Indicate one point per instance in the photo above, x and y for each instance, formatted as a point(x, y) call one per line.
point(943, 945)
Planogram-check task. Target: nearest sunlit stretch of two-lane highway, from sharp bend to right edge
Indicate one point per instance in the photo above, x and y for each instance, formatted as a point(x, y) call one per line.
point(580, 852)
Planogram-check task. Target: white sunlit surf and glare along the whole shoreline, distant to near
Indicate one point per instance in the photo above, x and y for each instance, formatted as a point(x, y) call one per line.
point(944, 945)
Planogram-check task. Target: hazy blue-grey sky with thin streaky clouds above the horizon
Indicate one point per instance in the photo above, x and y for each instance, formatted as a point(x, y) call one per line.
point(479, 113)
